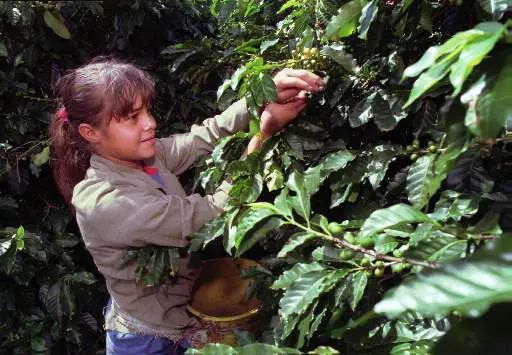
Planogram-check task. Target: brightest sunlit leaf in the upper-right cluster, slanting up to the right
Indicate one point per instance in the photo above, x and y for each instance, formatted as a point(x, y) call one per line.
point(472, 54)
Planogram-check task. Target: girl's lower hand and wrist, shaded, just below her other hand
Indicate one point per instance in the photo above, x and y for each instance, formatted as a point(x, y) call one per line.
point(275, 116)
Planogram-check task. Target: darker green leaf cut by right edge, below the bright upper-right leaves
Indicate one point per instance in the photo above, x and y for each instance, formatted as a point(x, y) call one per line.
point(493, 109)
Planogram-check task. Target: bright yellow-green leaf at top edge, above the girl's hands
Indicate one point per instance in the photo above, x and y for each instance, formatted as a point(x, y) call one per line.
point(345, 23)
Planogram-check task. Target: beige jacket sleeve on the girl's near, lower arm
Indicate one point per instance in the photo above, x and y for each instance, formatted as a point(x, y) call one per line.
point(130, 217)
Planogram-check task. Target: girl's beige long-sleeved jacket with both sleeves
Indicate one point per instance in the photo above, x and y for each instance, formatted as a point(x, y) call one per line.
point(119, 207)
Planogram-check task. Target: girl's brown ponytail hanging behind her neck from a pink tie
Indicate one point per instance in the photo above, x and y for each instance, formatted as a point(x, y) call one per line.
point(70, 155)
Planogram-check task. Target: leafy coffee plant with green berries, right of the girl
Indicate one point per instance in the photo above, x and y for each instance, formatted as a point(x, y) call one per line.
point(382, 212)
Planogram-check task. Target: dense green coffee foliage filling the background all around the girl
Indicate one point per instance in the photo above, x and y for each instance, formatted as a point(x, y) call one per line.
point(379, 217)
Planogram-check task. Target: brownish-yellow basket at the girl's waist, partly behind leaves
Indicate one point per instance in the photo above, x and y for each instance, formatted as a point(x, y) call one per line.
point(218, 298)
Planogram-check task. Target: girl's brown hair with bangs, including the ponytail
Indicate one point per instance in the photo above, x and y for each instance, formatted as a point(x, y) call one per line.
point(94, 93)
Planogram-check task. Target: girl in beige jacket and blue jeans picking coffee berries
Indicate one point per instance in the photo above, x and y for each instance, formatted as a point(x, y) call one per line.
point(122, 183)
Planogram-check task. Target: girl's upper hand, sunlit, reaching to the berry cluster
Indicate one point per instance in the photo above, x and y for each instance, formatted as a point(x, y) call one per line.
point(290, 82)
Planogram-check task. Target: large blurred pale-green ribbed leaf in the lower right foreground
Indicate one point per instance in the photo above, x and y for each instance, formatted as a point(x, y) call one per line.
point(468, 286)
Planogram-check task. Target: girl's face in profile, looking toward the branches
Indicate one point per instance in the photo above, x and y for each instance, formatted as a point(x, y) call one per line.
point(131, 139)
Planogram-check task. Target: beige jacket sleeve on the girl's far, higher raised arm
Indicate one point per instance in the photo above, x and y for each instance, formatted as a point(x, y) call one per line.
point(179, 152)
